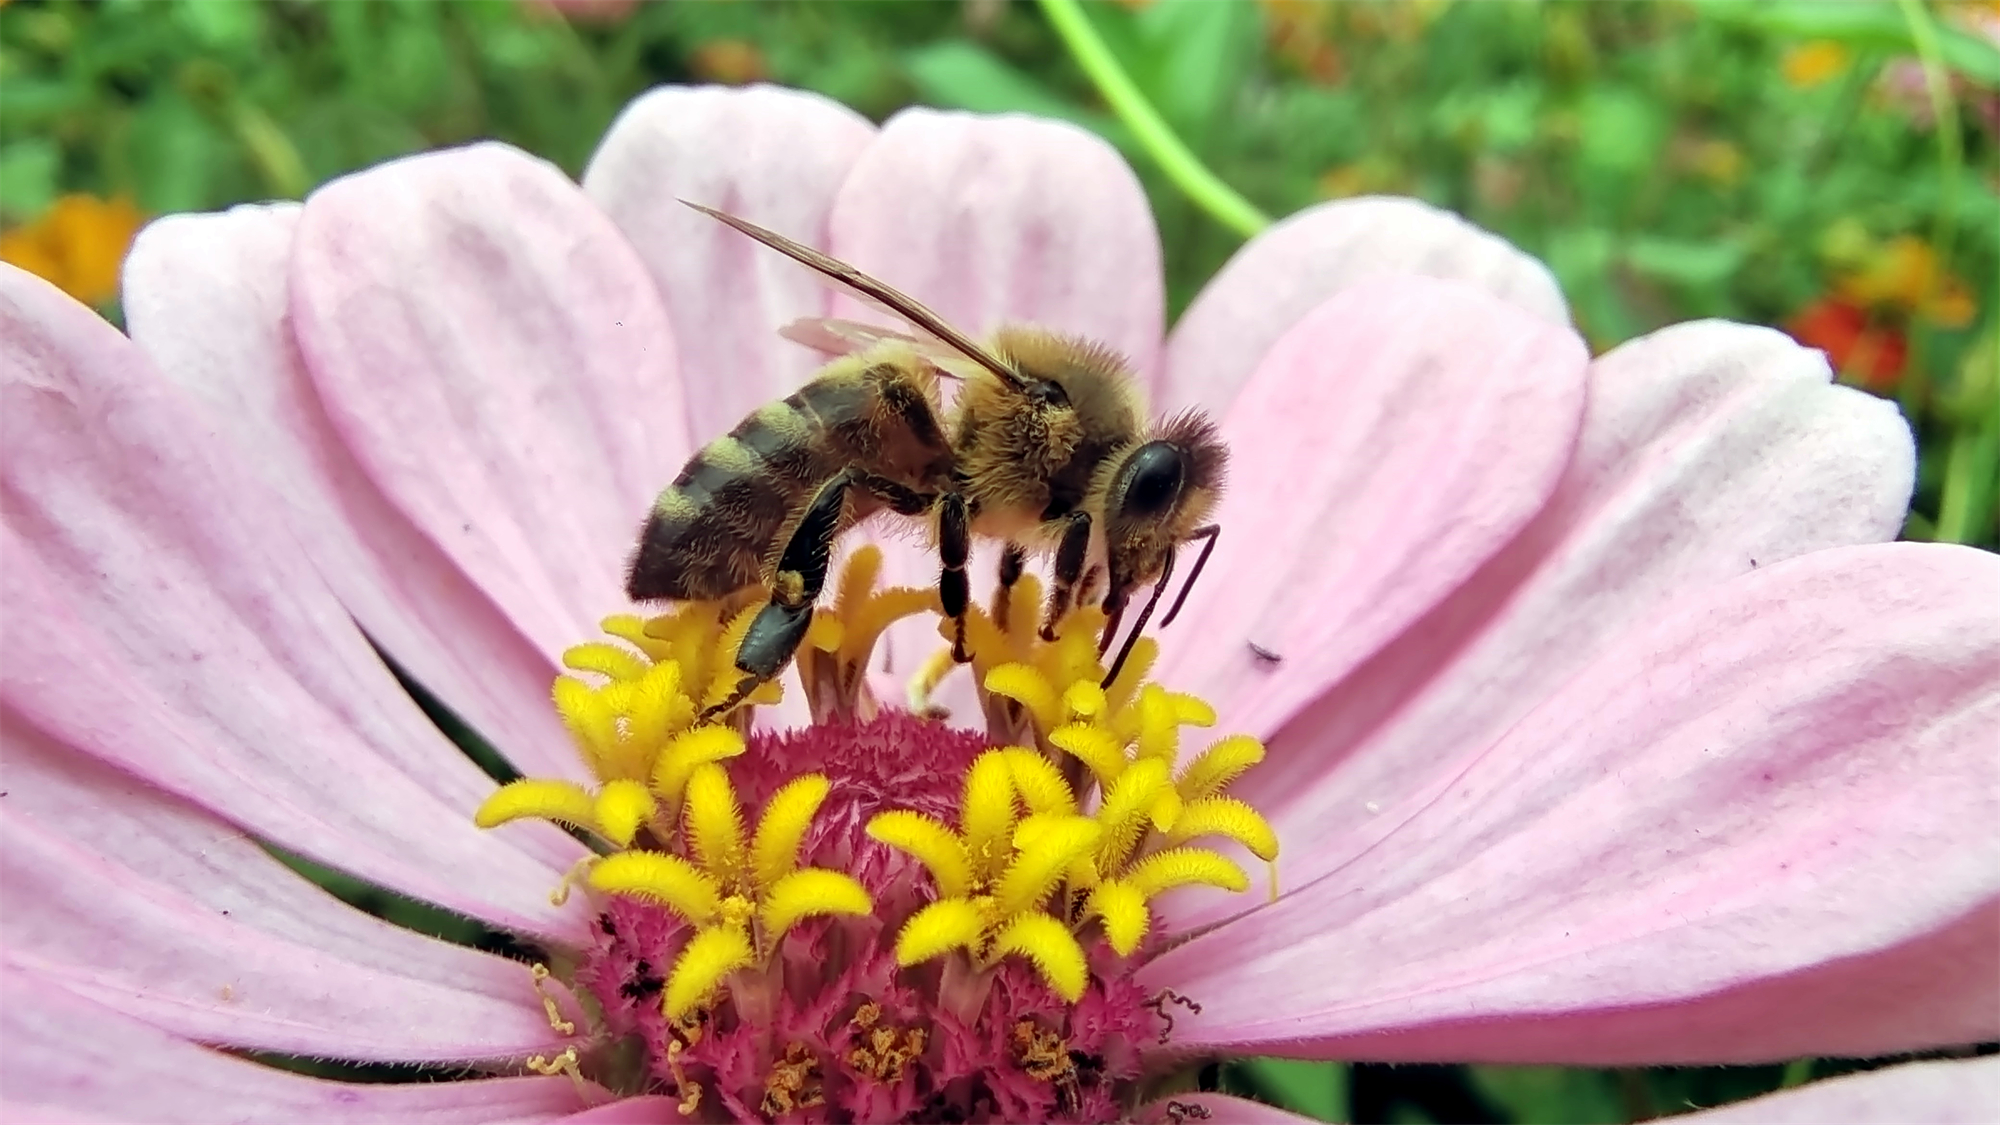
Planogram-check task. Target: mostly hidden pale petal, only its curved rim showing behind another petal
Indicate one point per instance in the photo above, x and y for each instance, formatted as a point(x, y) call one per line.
point(1293, 267)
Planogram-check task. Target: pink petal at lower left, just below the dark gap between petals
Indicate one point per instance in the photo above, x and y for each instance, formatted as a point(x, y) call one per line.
point(169, 916)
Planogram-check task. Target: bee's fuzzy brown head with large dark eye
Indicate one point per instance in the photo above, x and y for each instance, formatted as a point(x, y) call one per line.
point(1157, 495)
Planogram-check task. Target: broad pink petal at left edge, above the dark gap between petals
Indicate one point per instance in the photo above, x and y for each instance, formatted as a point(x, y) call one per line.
point(161, 620)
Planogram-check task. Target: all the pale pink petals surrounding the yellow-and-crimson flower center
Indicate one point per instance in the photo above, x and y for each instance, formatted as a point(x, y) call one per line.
point(1603, 722)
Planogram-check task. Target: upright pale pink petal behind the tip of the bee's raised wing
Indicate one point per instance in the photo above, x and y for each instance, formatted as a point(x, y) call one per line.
point(775, 157)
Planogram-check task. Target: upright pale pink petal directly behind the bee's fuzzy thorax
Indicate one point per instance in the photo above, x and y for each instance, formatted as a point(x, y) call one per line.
point(987, 221)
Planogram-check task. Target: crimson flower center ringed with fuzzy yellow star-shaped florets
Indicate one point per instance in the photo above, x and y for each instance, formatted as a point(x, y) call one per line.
point(923, 922)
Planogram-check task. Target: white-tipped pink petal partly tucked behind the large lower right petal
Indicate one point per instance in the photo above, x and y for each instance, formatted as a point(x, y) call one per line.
point(1707, 451)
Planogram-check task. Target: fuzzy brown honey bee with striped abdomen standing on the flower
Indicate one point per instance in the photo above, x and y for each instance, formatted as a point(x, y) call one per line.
point(1045, 447)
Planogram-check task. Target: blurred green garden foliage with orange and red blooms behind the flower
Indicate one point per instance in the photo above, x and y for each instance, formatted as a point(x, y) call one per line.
point(1767, 163)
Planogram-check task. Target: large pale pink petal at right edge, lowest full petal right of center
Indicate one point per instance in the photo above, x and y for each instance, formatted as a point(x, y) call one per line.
point(1755, 830)
